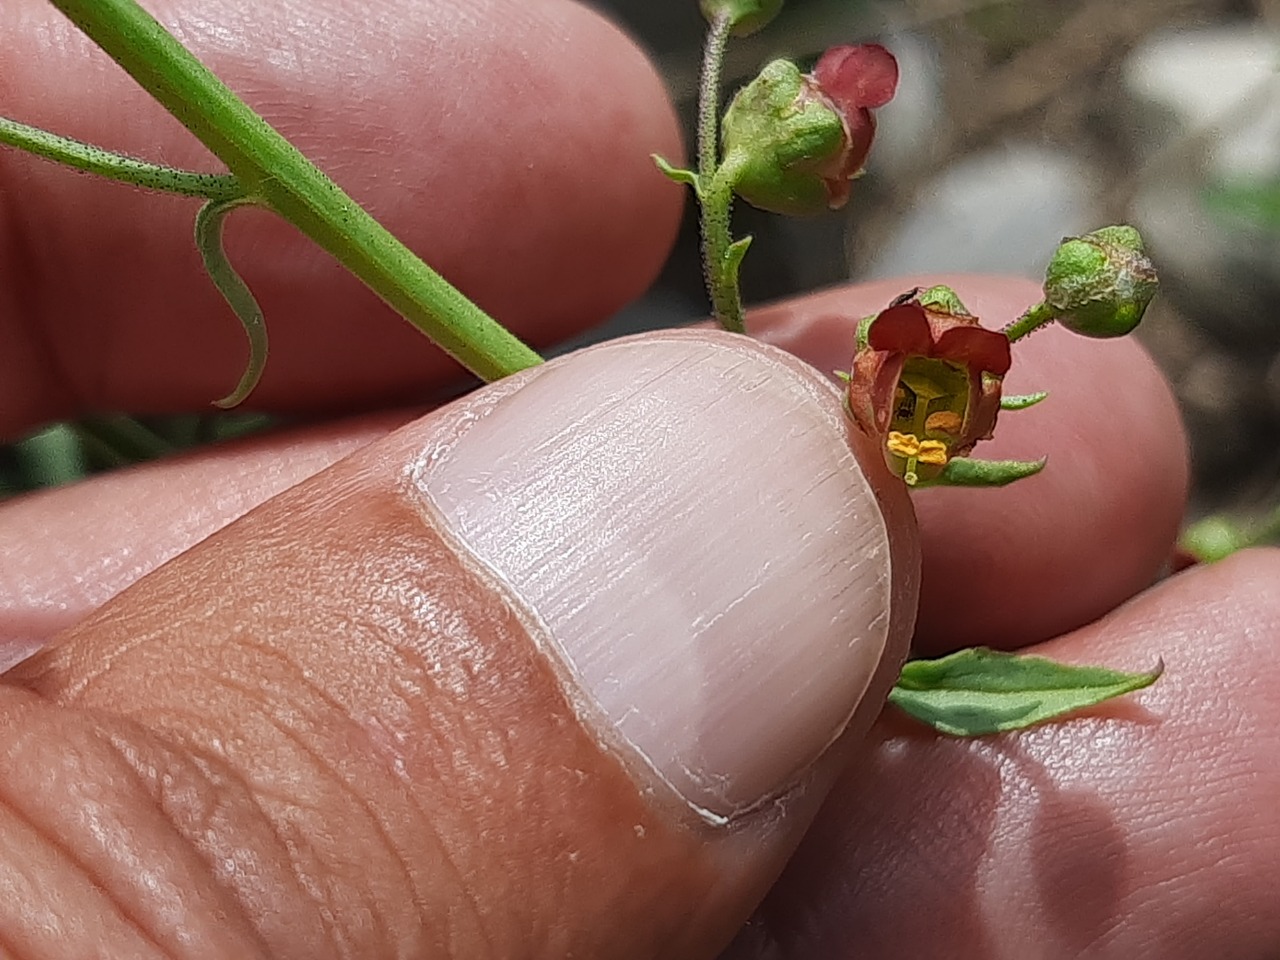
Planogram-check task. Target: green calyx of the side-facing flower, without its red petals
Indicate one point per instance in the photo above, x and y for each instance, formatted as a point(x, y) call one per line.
point(779, 143)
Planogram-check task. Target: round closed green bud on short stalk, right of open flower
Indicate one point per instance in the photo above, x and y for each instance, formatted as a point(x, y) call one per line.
point(1101, 284)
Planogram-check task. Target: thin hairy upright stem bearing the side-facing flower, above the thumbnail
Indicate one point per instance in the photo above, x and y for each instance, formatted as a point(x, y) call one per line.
point(716, 186)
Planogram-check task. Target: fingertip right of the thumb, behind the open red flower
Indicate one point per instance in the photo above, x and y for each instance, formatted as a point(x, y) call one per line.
point(1022, 564)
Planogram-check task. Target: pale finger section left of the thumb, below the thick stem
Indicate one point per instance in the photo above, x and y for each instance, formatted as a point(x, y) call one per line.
point(57, 568)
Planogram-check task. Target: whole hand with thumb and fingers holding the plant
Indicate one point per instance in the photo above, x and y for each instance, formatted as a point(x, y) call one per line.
point(317, 733)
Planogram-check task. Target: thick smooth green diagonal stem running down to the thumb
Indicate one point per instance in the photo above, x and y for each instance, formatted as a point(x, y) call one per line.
point(277, 176)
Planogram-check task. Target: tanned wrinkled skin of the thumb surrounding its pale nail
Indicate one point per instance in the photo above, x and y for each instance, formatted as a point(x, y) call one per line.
point(348, 733)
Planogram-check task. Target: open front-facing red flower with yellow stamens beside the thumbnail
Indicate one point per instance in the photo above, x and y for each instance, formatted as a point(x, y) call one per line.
point(927, 380)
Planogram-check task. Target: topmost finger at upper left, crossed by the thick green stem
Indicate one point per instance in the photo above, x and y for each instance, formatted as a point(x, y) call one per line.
point(505, 141)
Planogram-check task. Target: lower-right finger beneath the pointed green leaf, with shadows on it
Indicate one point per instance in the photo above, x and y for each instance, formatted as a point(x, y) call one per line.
point(1146, 831)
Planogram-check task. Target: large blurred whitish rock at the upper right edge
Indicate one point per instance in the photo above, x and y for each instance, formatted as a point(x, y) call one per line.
point(1206, 113)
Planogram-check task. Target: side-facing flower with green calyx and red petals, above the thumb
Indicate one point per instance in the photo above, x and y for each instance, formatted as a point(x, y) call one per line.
point(796, 141)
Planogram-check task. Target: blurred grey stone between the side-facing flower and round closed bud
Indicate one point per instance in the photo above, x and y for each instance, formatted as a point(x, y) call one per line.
point(1002, 211)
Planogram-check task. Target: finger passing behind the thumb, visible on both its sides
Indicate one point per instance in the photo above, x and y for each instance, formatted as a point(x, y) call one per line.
point(1101, 519)
